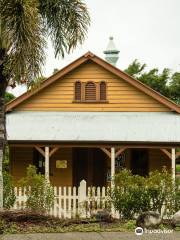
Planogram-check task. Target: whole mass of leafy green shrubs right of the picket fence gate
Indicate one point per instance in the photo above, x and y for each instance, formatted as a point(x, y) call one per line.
point(135, 194)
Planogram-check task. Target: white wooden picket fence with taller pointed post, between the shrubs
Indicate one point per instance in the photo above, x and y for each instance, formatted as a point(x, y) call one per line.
point(71, 202)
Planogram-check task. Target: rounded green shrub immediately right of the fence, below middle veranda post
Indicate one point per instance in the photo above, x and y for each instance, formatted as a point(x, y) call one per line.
point(129, 195)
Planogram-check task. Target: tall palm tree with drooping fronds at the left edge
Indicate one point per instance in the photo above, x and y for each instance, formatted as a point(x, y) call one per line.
point(25, 25)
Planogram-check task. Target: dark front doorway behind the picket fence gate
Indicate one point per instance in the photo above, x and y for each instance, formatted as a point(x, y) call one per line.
point(89, 164)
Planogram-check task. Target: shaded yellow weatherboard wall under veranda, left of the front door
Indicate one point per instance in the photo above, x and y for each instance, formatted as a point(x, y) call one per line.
point(22, 157)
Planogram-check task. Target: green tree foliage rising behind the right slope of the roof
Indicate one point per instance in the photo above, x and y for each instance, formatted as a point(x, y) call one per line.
point(165, 83)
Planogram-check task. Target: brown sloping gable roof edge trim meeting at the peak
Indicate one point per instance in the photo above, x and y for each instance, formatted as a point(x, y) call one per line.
point(92, 57)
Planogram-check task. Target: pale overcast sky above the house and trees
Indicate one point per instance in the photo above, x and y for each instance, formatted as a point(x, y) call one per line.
point(147, 30)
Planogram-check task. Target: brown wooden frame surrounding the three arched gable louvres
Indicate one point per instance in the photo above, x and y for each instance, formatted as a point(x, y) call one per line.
point(83, 100)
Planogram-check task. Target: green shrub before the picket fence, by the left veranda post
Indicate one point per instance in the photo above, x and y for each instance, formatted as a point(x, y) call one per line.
point(40, 195)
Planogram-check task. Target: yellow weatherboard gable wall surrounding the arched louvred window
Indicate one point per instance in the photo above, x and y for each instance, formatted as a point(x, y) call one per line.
point(121, 95)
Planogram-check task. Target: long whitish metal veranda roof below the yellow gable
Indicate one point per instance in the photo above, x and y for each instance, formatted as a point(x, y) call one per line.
point(93, 126)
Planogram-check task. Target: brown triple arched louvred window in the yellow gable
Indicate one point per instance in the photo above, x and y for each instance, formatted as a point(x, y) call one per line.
point(90, 91)
